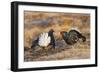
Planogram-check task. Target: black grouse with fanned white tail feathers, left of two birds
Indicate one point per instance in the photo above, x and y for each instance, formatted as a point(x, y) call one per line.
point(44, 40)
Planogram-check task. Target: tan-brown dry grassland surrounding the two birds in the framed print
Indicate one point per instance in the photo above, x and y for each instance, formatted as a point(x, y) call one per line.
point(63, 51)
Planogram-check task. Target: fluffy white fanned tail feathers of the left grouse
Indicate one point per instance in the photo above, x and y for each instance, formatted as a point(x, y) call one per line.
point(44, 39)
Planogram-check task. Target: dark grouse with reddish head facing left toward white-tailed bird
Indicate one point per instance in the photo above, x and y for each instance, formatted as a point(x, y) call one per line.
point(72, 36)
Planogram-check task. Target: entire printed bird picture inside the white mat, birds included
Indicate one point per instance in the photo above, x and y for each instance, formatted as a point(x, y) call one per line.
point(45, 35)
